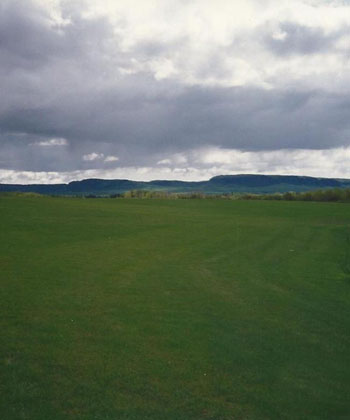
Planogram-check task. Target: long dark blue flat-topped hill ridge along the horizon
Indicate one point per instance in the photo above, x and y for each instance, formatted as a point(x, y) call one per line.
point(217, 184)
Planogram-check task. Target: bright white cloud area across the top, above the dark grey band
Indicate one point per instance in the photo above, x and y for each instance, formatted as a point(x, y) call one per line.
point(225, 33)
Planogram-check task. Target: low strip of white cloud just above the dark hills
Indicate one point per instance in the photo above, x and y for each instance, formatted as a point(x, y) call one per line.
point(206, 163)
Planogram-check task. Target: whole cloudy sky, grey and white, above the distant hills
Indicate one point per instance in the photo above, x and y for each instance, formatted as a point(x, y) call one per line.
point(173, 89)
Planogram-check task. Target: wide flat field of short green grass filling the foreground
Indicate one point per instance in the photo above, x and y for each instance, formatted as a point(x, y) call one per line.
point(182, 309)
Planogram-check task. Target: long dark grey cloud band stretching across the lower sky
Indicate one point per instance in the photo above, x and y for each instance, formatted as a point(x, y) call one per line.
point(138, 128)
